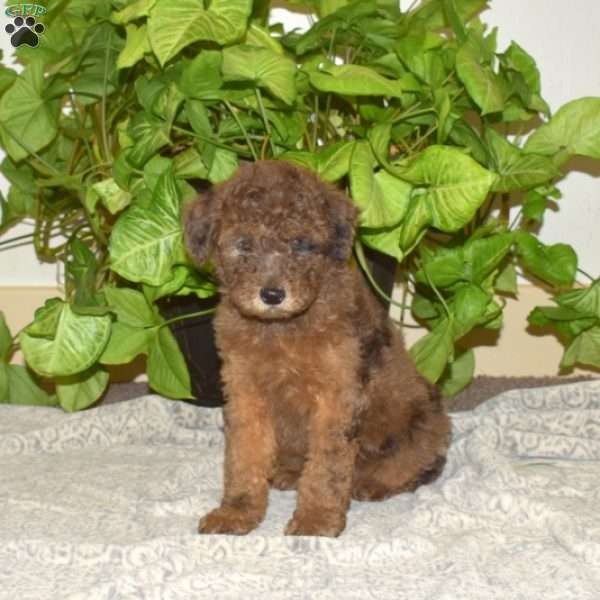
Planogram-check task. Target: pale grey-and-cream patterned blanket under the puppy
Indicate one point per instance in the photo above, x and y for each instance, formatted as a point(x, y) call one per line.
point(104, 504)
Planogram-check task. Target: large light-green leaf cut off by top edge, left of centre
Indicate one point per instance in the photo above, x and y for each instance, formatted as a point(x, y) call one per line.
point(173, 26)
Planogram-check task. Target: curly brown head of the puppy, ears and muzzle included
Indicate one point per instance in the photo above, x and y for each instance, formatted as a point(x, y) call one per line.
point(274, 232)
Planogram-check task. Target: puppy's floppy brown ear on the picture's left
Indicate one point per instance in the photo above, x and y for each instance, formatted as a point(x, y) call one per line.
point(199, 226)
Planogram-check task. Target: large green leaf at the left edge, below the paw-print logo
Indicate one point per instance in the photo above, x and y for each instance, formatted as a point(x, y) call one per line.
point(28, 119)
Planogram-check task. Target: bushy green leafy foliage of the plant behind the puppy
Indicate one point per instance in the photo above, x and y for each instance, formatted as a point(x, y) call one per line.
point(127, 108)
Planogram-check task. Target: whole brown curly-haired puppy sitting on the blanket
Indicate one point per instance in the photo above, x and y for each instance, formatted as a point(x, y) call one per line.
point(321, 395)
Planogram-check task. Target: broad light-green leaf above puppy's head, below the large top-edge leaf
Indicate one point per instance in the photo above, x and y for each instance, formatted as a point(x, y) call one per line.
point(264, 67)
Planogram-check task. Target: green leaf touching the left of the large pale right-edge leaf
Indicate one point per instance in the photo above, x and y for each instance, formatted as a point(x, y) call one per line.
point(516, 169)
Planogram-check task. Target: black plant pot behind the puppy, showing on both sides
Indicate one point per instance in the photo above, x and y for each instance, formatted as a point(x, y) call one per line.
point(196, 335)
